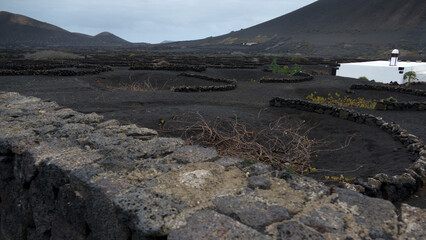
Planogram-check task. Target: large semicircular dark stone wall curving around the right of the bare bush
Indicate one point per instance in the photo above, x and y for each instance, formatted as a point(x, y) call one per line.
point(394, 188)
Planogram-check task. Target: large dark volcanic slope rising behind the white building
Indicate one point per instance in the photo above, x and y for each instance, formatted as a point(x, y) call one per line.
point(337, 27)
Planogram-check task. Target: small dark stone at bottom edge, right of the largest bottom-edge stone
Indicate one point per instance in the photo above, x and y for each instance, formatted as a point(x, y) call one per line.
point(297, 231)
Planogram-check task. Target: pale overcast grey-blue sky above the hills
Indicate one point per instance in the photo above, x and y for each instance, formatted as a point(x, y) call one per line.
point(153, 21)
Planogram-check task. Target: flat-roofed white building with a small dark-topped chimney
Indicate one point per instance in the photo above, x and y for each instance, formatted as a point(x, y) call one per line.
point(383, 71)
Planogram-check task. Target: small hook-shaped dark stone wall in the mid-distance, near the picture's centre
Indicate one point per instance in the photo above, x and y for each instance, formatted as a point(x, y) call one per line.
point(230, 84)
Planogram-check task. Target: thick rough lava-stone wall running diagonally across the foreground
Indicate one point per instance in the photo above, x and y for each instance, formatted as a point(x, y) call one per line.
point(68, 175)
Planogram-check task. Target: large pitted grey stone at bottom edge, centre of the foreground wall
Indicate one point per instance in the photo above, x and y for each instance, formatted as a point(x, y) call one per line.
point(209, 224)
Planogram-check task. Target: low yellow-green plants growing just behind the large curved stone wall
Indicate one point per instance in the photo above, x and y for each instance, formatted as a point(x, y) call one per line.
point(336, 99)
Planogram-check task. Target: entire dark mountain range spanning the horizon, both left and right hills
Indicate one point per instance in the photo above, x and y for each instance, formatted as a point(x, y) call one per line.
point(324, 28)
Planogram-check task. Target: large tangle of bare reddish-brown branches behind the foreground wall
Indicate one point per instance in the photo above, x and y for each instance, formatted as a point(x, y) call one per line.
point(281, 144)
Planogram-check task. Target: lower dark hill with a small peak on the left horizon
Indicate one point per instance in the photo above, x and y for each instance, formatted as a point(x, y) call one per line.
point(19, 30)
